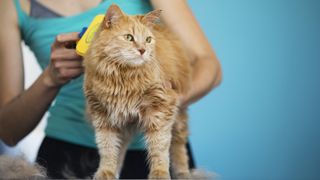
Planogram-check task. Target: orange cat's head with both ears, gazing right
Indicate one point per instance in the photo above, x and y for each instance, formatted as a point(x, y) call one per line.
point(129, 38)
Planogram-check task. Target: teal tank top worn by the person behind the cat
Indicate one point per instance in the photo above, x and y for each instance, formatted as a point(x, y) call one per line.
point(67, 116)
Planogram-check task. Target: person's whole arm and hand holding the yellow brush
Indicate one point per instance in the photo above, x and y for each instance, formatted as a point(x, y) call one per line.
point(21, 110)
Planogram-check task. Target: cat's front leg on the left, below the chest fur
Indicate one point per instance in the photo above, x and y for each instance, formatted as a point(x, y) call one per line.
point(108, 142)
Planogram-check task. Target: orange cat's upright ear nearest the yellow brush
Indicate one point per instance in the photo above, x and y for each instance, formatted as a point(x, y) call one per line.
point(113, 14)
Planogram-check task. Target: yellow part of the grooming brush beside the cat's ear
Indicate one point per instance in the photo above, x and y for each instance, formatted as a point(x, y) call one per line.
point(84, 42)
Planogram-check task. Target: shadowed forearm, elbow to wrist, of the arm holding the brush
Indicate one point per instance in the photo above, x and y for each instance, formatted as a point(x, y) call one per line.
point(20, 116)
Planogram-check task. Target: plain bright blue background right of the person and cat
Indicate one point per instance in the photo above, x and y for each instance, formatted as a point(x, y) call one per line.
point(263, 122)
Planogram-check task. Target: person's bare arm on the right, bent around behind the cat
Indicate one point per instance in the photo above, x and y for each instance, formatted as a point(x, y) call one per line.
point(206, 67)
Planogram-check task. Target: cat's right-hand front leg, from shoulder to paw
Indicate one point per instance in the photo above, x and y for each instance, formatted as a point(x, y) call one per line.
point(158, 116)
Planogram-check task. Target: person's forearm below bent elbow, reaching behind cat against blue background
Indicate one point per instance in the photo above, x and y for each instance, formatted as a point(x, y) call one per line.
point(206, 75)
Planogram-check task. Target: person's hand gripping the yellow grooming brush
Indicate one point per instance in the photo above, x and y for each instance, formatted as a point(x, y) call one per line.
point(65, 64)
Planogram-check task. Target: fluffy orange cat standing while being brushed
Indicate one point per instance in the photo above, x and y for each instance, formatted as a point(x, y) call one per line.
point(126, 68)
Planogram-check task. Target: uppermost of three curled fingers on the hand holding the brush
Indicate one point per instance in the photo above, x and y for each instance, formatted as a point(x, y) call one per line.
point(64, 54)
